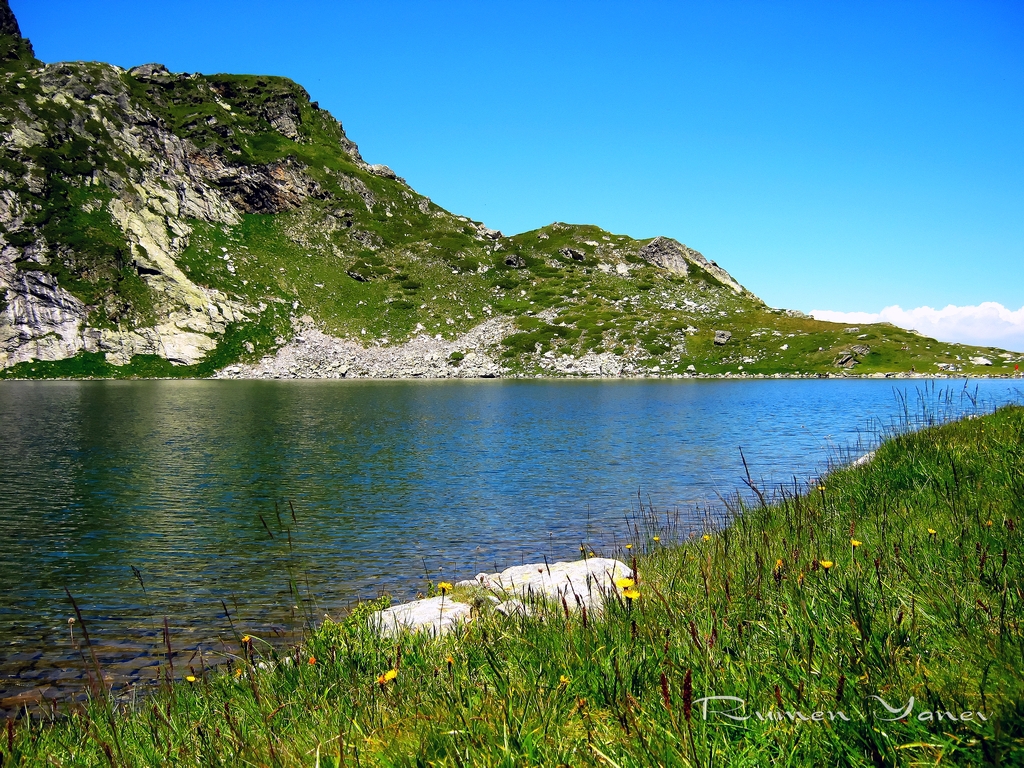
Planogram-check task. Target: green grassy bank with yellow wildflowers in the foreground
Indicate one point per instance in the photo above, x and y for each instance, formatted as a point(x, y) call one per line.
point(897, 580)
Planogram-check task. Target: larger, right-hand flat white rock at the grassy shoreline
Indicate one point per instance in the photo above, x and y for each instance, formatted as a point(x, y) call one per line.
point(588, 580)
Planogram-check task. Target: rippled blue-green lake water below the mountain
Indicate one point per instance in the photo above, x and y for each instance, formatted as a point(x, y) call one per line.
point(187, 482)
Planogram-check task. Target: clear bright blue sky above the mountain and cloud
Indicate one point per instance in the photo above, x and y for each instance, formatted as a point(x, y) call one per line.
point(844, 157)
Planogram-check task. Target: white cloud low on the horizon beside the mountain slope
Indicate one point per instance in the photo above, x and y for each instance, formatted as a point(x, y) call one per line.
point(990, 324)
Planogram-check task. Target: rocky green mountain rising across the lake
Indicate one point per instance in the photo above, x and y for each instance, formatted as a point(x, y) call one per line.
point(158, 224)
